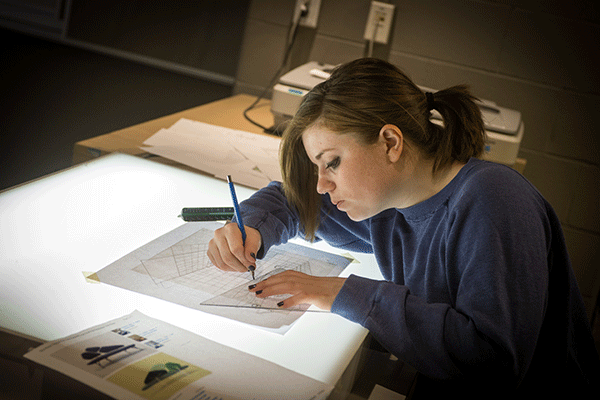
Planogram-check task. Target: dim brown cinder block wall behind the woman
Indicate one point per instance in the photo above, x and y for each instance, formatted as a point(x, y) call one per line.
point(538, 57)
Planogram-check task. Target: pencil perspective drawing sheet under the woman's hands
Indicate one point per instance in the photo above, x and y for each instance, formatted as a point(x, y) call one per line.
point(175, 267)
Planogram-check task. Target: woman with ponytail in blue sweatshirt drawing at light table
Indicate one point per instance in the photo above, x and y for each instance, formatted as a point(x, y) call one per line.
point(478, 285)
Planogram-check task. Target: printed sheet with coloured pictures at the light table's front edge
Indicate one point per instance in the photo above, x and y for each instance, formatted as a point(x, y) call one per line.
point(138, 357)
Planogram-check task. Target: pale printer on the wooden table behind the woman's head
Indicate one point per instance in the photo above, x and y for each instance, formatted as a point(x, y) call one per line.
point(504, 127)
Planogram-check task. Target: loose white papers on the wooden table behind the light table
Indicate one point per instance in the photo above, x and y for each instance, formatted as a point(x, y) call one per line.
point(251, 159)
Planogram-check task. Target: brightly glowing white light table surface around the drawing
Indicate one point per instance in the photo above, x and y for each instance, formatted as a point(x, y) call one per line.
point(54, 229)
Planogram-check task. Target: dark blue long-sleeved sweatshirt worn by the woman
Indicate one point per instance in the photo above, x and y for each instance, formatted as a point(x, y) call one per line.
point(478, 284)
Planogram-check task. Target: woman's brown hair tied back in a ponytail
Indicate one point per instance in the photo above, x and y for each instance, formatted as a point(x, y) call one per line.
point(362, 96)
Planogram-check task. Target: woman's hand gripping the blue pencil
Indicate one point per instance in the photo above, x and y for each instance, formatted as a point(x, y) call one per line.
point(226, 249)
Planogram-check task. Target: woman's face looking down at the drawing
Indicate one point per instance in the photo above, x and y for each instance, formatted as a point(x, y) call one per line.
point(357, 177)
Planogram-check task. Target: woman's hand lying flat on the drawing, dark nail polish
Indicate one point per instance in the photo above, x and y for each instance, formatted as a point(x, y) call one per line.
point(304, 289)
